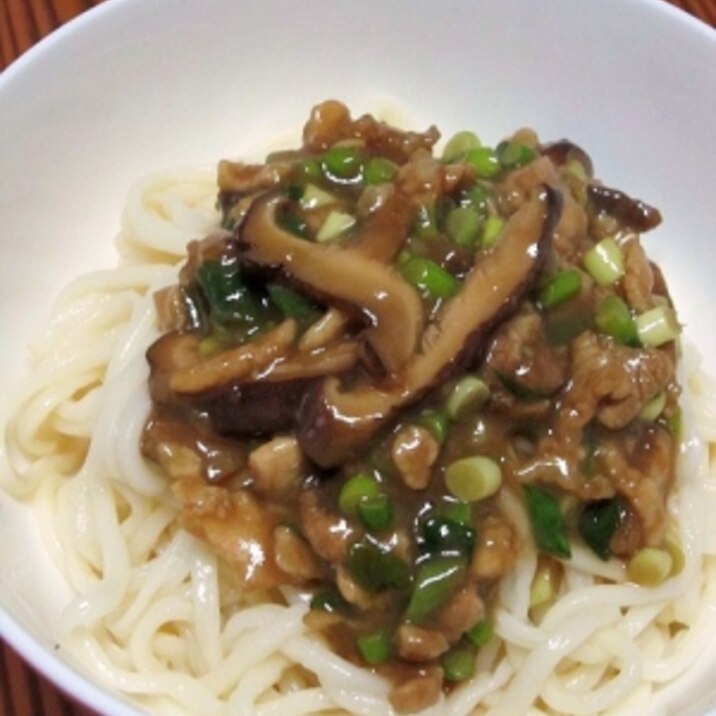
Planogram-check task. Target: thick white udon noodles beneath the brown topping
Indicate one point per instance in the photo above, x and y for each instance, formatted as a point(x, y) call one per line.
point(159, 617)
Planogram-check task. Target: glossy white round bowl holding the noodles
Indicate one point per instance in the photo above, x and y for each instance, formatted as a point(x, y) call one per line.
point(133, 86)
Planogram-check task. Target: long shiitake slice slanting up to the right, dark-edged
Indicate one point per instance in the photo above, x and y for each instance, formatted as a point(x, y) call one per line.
point(335, 423)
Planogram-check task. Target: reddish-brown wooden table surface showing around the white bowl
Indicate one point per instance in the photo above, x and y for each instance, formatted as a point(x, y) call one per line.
point(22, 24)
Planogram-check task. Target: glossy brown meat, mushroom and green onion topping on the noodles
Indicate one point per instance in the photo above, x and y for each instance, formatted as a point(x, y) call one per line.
point(383, 353)
